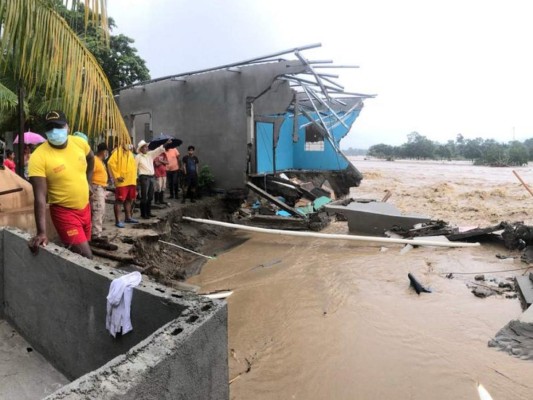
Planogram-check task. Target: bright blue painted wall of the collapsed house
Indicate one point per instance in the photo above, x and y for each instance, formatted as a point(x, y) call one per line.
point(291, 155)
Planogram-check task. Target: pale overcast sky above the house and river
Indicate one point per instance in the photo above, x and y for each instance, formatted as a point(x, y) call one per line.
point(438, 67)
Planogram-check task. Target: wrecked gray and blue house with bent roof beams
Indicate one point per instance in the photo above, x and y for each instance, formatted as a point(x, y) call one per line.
point(258, 123)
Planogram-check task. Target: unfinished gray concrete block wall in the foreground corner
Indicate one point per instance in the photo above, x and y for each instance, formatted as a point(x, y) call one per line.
point(57, 301)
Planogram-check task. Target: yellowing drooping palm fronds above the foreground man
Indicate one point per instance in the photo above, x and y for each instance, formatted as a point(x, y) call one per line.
point(43, 54)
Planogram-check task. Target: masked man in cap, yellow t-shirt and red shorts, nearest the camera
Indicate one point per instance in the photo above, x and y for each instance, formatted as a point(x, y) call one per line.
point(61, 169)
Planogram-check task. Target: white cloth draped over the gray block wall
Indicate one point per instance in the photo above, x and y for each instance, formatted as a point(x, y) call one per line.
point(119, 303)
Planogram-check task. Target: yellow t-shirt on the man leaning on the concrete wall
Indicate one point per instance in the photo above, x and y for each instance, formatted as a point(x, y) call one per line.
point(65, 172)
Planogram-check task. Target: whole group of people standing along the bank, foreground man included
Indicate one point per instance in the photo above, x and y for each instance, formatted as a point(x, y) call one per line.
point(66, 173)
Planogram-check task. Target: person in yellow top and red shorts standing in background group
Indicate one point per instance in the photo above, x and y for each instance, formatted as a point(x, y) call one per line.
point(123, 171)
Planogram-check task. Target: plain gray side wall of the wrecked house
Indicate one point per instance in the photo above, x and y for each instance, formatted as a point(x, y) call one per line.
point(209, 110)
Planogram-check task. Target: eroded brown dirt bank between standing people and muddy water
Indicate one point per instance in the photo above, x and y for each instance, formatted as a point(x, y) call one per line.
point(141, 247)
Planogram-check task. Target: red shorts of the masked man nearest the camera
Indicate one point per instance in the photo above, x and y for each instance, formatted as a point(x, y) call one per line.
point(73, 226)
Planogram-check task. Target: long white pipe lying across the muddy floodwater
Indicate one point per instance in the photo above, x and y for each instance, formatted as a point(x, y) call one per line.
point(332, 236)
